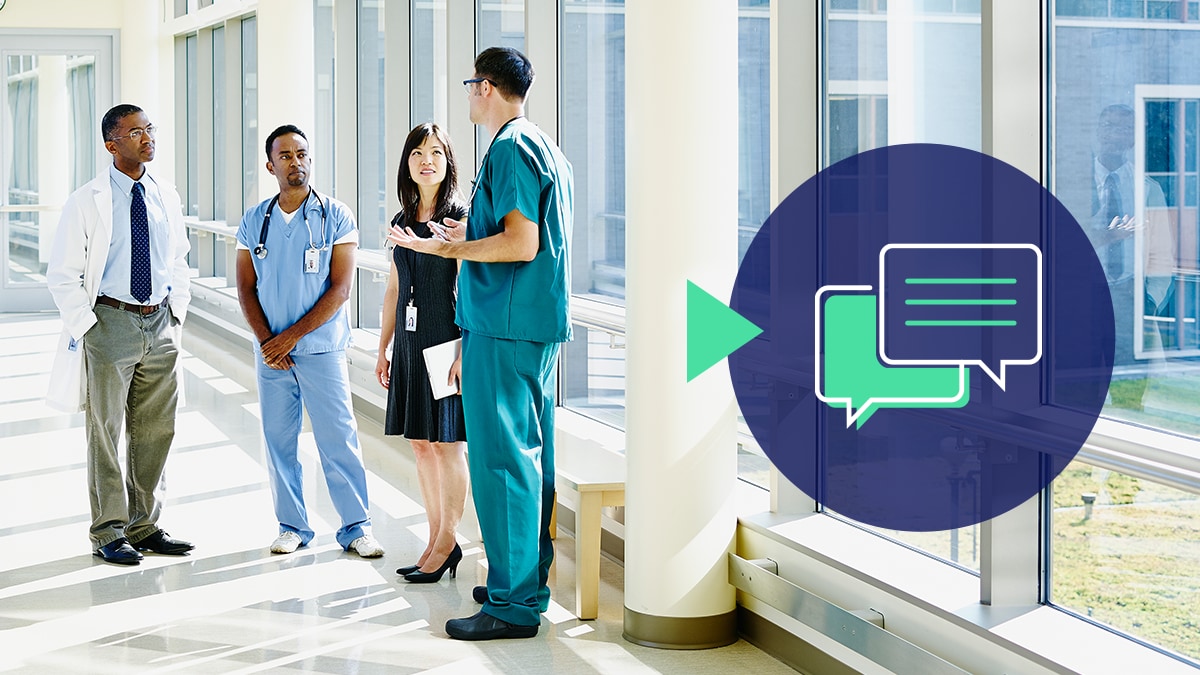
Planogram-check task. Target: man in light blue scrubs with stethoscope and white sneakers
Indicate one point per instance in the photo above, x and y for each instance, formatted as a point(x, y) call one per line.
point(296, 267)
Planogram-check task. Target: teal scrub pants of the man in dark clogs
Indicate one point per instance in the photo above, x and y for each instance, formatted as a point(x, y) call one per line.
point(508, 397)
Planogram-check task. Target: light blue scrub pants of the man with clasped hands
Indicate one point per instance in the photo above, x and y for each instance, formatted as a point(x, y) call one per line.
point(320, 384)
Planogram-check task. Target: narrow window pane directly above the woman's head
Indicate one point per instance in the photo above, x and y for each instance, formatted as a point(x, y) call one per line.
point(429, 63)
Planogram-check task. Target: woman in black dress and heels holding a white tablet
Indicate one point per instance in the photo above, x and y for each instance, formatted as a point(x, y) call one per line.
point(418, 313)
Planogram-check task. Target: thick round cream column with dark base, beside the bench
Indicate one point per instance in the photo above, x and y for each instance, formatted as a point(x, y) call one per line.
point(682, 186)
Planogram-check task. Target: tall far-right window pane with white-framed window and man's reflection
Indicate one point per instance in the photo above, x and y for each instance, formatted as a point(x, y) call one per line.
point(1123, 127)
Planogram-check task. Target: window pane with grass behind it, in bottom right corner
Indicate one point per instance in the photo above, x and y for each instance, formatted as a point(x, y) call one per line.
point(1126, 553)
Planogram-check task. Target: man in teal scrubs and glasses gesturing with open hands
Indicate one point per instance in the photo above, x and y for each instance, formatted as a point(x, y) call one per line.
point(513, 308)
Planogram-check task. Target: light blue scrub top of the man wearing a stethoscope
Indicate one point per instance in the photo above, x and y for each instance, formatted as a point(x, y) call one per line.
point(285, 290)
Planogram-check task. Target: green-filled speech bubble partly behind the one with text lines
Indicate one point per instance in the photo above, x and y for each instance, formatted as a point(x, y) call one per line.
point(850, 374)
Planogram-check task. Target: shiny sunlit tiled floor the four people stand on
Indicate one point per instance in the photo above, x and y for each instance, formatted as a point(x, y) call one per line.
point(232, 607)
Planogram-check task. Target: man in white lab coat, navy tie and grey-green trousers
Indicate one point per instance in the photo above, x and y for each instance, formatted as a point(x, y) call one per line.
point(118, 273)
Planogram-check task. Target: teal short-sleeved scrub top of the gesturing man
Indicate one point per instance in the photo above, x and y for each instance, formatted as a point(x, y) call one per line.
point(521, 301)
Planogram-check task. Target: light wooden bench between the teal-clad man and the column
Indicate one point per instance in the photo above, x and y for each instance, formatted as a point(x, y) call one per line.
point(587, 477)
